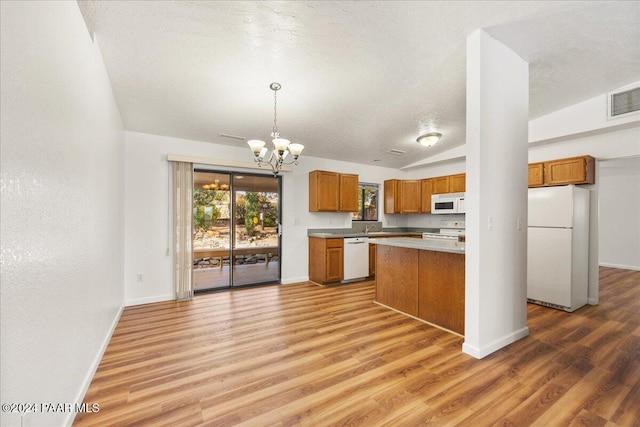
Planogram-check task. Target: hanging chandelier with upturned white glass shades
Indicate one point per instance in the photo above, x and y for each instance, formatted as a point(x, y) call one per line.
point(281, 147)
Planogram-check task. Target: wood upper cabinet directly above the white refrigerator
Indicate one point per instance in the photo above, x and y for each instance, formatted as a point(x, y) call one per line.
point(572, 170)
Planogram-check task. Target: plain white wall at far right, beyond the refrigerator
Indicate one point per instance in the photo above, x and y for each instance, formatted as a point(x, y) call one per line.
point(619, 191)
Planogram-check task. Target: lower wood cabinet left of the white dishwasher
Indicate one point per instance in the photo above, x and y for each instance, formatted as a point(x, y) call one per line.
point(326, 260)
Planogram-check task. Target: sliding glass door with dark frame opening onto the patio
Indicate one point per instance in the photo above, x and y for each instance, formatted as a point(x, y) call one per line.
point(236, 237)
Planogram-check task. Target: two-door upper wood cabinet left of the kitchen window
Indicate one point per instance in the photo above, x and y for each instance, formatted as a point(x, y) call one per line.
point(332, 192)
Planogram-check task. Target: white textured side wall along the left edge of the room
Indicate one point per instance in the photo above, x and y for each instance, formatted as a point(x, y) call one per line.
point(62, 210)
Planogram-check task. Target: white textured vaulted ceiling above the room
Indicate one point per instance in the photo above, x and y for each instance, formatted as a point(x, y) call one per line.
point(358, 78)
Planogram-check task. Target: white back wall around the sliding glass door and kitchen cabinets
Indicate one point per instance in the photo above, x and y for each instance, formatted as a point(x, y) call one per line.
point(147, 233)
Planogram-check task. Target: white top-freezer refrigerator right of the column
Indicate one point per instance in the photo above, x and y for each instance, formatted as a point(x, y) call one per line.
point(558, 247)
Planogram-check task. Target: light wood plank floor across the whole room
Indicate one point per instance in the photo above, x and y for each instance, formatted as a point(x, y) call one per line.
point(307, 355)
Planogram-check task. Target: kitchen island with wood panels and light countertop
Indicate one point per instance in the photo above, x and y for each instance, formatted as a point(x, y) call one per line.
point(423, 279)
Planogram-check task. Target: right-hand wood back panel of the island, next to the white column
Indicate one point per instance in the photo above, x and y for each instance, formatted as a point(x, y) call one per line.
point(441, 289)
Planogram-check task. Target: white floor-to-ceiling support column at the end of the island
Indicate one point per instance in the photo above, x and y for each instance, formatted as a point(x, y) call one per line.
point(496, 199)
